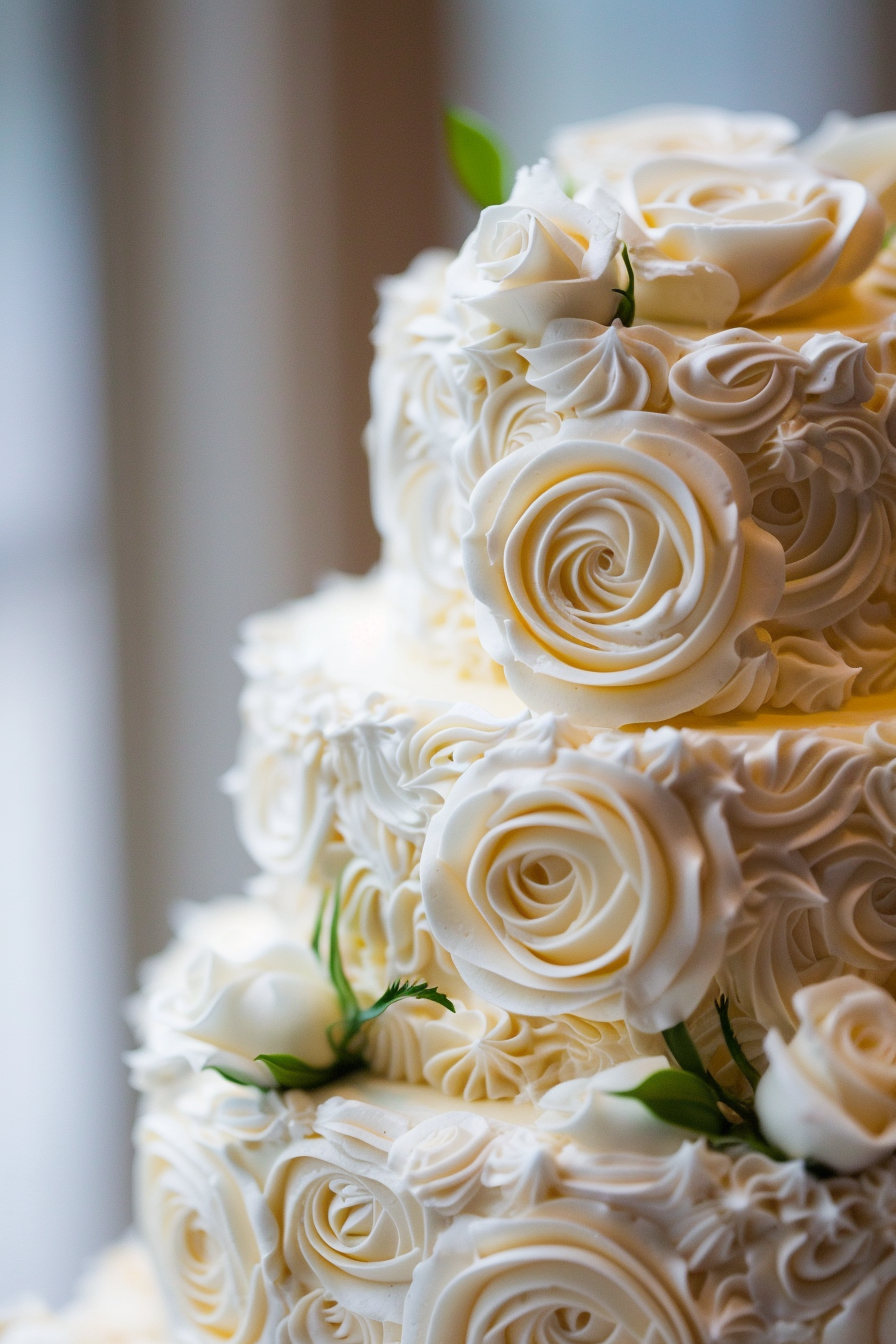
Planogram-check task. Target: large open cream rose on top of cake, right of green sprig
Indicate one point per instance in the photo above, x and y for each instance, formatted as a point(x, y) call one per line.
point(719, 239)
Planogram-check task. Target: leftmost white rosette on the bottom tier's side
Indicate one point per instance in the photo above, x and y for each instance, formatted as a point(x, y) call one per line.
point(213, 1238)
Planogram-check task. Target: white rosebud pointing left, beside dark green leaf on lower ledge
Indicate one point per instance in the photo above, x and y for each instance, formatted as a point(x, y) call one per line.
point(588, 1112)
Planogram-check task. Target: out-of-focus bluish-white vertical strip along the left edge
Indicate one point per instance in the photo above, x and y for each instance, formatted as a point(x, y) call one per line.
point(64, 958)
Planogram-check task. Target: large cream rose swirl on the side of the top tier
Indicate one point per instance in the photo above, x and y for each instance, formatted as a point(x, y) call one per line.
point(616, 569)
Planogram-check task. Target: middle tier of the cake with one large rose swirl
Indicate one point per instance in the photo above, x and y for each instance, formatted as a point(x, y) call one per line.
point(574, 892)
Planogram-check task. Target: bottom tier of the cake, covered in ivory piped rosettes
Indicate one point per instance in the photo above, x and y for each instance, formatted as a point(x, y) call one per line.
point(377, 1212)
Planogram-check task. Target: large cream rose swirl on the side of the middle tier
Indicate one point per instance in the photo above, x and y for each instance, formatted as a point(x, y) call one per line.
point(576, 886)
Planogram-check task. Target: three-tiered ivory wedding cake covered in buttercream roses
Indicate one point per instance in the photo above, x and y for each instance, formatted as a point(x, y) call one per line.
point(562, 1010)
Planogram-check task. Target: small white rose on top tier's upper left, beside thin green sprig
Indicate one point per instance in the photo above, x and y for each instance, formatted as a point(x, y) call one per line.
point(538, 257)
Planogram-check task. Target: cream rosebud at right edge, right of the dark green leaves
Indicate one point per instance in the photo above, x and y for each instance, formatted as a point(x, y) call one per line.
point(831, 1093)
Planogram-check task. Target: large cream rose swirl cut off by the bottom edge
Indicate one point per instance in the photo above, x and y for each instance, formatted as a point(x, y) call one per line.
point(568, 1273)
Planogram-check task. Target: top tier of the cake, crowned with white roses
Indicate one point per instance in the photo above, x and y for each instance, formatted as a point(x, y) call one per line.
point(632, 450)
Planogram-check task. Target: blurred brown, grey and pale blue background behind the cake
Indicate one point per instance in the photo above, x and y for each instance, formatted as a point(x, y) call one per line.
point(195, 201)
